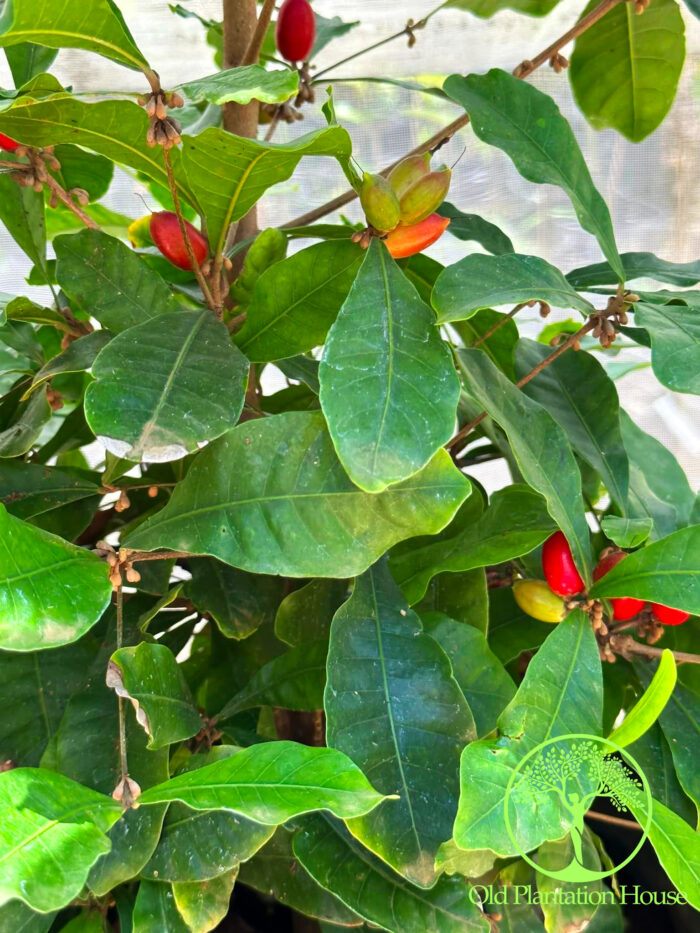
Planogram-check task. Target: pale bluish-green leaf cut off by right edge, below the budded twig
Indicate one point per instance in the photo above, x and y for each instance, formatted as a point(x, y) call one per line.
point(675, 344)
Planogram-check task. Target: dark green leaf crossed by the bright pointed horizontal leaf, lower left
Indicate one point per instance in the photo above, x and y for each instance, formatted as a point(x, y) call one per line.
point(198, 845)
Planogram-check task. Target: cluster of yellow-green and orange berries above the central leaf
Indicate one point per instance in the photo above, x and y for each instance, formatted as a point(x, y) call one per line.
point(401, 208)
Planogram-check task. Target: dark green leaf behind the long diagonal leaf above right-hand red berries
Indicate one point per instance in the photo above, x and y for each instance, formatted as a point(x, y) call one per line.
point(590, 419)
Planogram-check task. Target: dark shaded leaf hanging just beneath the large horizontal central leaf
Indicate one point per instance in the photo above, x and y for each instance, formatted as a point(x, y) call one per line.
point(238, 602)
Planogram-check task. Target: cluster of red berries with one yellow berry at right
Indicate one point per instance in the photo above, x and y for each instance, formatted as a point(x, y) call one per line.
point(544, 601)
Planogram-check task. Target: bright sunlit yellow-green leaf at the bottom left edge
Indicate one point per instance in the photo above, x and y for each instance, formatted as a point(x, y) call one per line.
point(52, 831)
